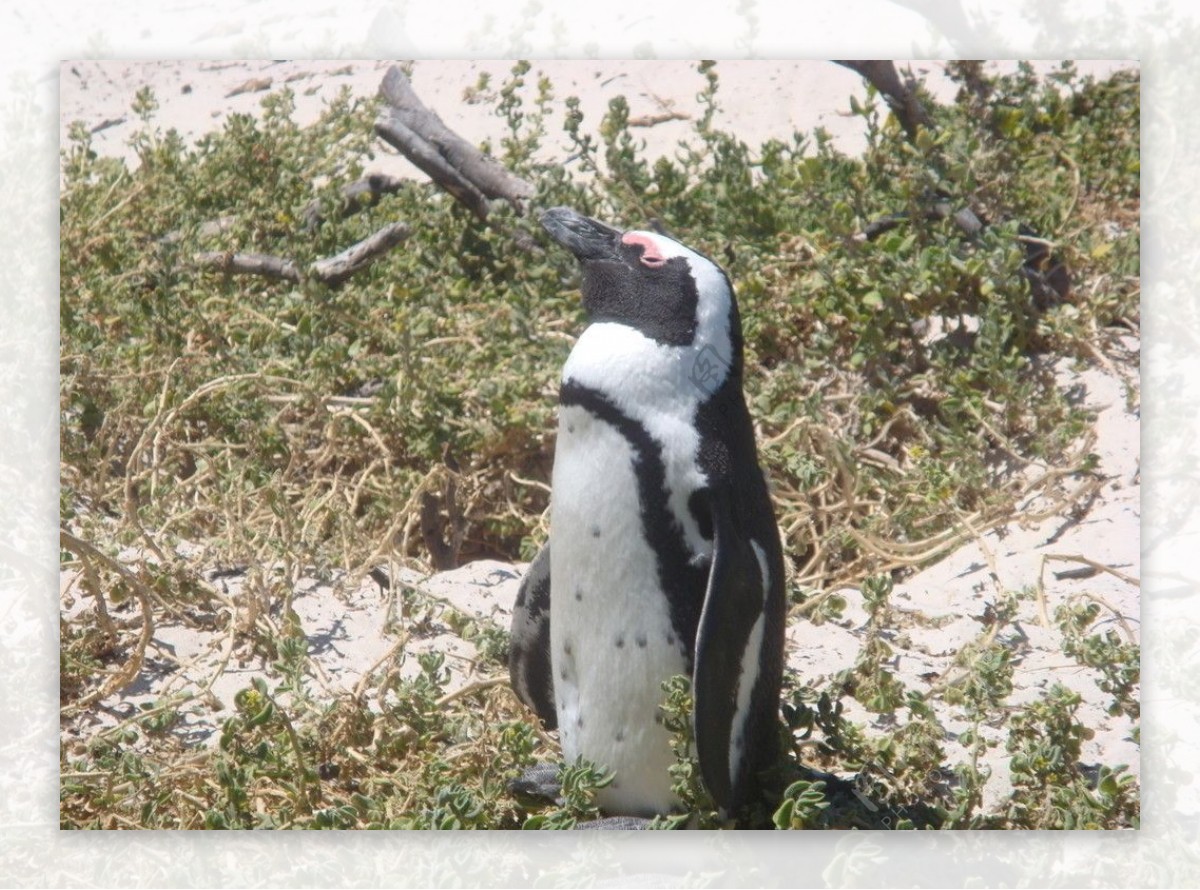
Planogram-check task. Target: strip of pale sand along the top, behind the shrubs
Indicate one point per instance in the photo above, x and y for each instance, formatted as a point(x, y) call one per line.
point(759, 100)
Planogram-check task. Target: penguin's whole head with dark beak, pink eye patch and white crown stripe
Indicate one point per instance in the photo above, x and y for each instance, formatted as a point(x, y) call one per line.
point(647, 281)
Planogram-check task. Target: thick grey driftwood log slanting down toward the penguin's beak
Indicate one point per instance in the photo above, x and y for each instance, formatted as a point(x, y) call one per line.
point(459, 167)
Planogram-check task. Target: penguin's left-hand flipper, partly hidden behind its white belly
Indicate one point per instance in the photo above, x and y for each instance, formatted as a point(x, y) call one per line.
point(530, 670)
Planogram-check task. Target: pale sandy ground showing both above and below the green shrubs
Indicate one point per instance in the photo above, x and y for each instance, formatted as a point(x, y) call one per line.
point(353, 629)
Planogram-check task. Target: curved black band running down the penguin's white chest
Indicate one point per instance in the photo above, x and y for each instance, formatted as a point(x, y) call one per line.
point(683, 582)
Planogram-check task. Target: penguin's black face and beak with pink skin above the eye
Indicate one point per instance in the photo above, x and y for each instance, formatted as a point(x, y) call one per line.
point(628, 280)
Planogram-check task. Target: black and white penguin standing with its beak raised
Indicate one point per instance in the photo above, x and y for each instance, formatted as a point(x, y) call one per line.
point(664, 555)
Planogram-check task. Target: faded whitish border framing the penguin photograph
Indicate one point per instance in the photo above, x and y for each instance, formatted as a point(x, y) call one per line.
point(38, 38)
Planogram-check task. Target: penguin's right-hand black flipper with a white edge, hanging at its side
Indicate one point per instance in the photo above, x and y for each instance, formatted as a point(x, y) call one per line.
point(733, 681)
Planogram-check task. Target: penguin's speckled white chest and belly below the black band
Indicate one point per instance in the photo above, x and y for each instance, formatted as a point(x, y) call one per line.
point(611, 635)
